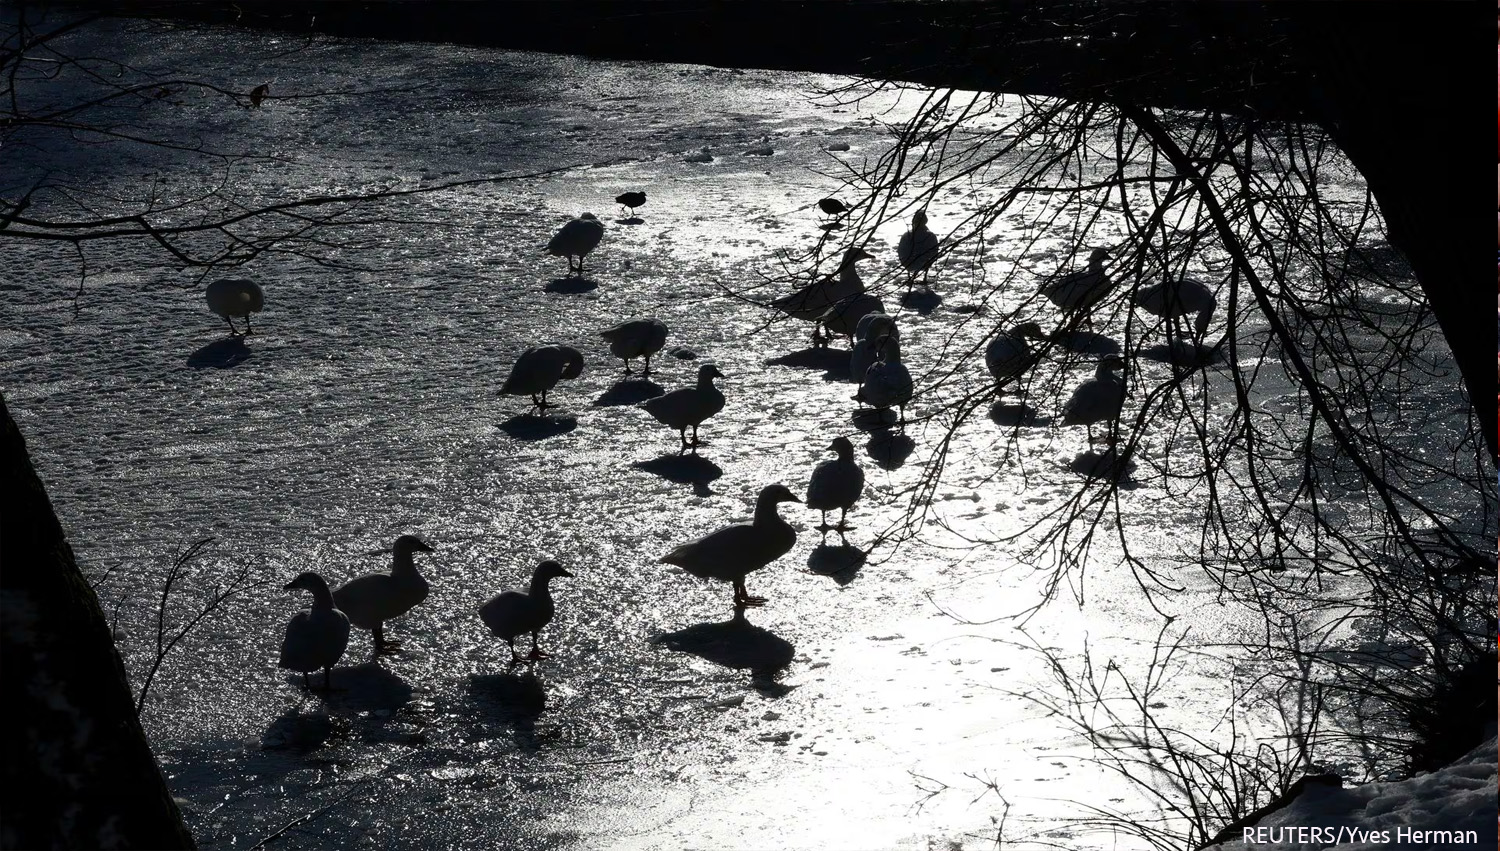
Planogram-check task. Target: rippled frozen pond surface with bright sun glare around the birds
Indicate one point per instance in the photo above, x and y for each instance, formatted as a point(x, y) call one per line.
point(367, 406)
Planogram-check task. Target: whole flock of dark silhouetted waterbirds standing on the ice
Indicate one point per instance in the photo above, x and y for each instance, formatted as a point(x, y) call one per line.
point(836, 305)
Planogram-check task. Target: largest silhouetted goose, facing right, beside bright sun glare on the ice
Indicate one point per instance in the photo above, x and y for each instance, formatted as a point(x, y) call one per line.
point(734, 552)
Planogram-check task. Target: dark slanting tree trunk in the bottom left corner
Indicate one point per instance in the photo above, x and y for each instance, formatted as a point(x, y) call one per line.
point(79, 772)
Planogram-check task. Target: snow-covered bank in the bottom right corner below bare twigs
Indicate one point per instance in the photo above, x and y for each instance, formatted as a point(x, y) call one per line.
point(1451, 802)
